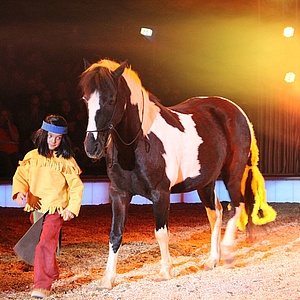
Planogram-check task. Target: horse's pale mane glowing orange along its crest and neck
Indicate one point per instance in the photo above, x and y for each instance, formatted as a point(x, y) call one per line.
point(139, 95)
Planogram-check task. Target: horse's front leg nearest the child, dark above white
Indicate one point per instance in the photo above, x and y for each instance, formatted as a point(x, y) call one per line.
point(120, 203)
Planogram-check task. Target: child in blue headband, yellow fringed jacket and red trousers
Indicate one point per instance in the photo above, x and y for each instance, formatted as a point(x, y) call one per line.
point(48, 180)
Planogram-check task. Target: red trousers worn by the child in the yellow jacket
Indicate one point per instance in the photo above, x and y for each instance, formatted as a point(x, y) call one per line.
point(45, 263)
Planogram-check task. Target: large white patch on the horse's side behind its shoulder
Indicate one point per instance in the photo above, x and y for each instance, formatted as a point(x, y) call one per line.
point(182, 148)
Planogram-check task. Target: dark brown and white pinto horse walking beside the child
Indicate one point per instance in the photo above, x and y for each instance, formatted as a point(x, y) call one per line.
point(153, 151)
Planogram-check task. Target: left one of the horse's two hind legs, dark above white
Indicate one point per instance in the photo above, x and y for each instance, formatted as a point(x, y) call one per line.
point(214, 212)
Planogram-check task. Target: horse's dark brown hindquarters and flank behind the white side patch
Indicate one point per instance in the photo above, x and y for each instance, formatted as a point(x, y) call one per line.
point(226, 135)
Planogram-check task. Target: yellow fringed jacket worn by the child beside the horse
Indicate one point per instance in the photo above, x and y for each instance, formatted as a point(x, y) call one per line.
point(54, 180)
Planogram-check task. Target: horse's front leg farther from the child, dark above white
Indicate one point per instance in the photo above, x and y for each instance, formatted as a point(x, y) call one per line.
point(161, 208)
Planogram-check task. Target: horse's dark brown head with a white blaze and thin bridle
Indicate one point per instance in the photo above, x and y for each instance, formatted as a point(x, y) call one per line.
point(105, 105)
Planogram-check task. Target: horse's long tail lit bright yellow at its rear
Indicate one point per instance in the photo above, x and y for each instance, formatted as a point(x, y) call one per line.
point(254, 192)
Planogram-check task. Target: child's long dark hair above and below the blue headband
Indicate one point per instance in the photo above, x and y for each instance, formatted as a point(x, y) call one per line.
point(40, 139)
